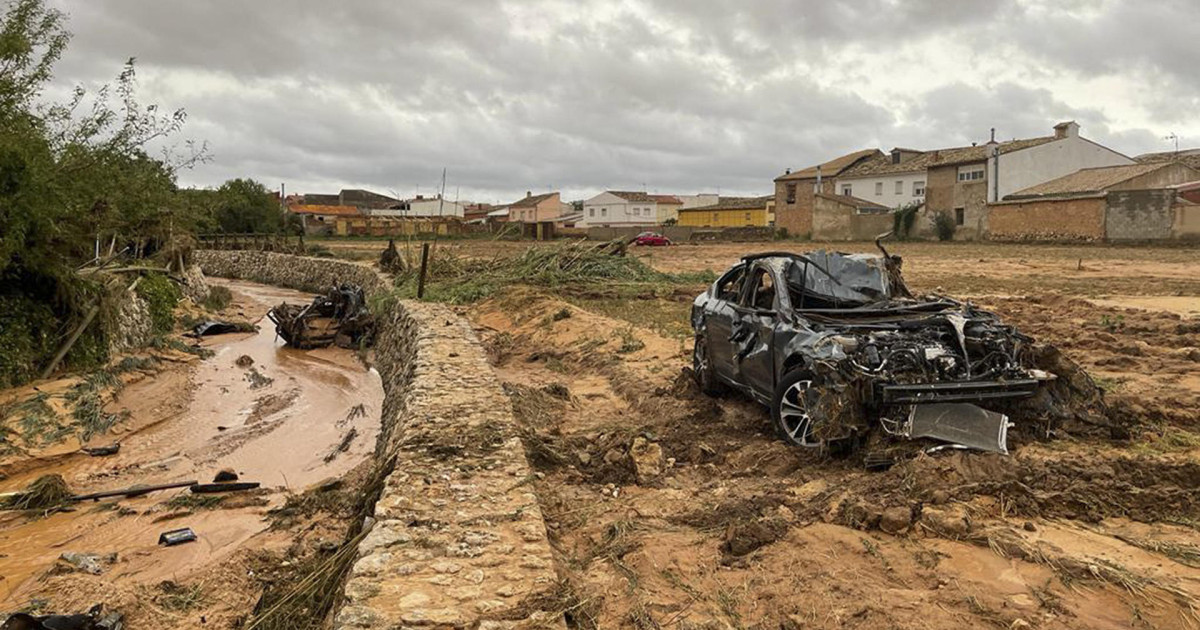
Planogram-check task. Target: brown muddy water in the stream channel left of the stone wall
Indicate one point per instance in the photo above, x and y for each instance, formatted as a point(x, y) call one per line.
point(280, 422)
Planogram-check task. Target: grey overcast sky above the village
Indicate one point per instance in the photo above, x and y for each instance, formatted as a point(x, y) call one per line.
point(677, 97)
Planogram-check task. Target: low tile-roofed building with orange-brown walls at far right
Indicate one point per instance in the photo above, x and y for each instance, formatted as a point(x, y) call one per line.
point(1130, 202)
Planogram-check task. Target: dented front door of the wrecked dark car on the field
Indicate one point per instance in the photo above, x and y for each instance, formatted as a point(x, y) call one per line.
point(753, 332)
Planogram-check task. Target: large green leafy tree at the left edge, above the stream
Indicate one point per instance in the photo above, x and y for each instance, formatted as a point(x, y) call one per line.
point(73, 176)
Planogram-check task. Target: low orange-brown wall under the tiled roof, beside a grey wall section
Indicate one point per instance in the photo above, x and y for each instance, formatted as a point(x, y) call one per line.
point(1078, 219)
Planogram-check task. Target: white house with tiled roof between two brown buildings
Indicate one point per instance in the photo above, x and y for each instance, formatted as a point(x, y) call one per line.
point(893, 181)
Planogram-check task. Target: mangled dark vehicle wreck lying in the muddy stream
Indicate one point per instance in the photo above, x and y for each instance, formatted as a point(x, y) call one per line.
point(340, 317)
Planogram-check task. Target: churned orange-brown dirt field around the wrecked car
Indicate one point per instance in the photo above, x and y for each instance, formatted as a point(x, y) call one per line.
point(670, 509)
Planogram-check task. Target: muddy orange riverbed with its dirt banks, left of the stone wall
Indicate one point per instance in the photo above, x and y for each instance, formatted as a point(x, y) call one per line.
point(297, 422)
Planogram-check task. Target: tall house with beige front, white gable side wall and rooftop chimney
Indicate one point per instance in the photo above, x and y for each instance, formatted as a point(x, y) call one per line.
point(962, 182)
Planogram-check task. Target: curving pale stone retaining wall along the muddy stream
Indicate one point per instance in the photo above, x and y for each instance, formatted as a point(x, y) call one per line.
point(459, 539)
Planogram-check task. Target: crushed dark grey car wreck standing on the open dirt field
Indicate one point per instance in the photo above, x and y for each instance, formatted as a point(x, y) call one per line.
point(837, 345)
